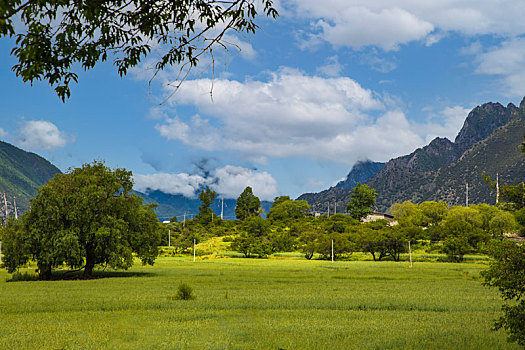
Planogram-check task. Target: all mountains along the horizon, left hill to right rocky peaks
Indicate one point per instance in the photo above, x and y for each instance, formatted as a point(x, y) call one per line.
point(487, 144)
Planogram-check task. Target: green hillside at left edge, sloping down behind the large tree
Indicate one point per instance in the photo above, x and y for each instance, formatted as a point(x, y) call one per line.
point(21, 173)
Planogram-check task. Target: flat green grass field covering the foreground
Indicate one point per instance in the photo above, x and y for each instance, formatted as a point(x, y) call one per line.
point(257, 304)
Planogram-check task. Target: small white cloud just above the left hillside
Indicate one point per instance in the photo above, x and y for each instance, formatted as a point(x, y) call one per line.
point(41, 134)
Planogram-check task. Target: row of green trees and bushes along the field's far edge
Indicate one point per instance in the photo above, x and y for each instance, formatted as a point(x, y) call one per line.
point(288, 227)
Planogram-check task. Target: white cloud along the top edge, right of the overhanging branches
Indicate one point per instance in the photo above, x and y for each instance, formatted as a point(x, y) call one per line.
point(388, 24)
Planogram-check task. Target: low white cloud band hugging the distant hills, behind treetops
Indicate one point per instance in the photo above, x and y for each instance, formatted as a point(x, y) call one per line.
point(228, 181)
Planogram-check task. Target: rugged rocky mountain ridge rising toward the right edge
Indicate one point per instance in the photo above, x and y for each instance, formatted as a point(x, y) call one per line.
point(486, 144)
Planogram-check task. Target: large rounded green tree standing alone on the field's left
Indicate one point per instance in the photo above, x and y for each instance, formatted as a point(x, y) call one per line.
point(83, 218)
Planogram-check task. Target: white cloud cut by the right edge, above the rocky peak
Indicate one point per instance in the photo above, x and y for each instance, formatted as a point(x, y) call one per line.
point(507, 61)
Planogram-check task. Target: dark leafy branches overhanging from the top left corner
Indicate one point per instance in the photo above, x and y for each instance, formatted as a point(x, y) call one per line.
point(56, 38)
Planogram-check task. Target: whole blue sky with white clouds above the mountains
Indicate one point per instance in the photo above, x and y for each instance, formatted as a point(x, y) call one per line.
point(326, 84)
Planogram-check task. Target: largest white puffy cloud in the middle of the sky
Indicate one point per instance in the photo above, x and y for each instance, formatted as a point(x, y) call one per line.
point(293, 115)
